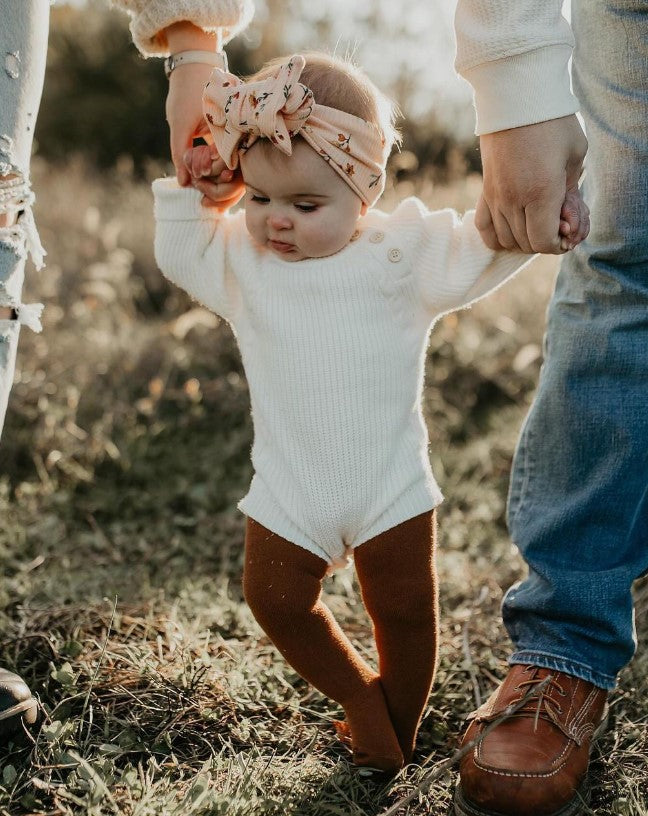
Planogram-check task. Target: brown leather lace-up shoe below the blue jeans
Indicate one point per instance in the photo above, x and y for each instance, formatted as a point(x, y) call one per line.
point(536, 761)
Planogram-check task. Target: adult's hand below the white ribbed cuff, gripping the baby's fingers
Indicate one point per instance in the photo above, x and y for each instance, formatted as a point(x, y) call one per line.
point(531, 187)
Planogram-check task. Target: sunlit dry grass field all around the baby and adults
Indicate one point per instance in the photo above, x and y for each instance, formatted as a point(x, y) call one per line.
point(125, 451)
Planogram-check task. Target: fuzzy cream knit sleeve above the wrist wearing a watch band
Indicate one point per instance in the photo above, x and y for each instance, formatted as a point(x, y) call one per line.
point(149, 18)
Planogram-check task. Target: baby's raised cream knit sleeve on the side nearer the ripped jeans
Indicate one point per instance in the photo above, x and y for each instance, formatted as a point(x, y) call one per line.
point(193, 246)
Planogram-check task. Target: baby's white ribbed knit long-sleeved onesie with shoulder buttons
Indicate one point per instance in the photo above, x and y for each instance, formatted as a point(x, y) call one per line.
point(333, 350)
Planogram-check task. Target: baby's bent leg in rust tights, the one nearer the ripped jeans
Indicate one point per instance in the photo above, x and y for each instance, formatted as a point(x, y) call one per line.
point(282, 585)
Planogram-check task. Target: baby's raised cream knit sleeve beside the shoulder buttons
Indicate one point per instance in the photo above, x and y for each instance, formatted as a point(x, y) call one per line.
point(451, 265)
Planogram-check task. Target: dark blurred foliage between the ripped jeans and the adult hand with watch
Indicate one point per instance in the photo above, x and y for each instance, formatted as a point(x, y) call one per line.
point(100, 99)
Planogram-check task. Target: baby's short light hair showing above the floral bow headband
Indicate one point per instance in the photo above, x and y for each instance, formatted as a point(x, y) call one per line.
point(340, 84)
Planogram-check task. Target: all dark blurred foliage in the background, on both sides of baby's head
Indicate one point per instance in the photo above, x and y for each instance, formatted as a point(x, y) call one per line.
point(103, 101)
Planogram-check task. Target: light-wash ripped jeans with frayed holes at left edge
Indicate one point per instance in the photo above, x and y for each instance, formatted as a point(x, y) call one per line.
point(23, 50)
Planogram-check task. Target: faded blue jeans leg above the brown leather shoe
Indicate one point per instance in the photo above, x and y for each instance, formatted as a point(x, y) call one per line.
point(578, 501)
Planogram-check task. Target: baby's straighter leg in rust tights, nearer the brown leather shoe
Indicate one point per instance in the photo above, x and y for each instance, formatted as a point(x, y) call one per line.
point(398, 579)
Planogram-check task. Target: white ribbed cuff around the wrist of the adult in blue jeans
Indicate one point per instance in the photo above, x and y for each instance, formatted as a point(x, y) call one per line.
point(523, 89)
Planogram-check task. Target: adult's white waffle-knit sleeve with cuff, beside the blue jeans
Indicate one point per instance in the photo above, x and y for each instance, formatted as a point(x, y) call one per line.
point(514, 53)
